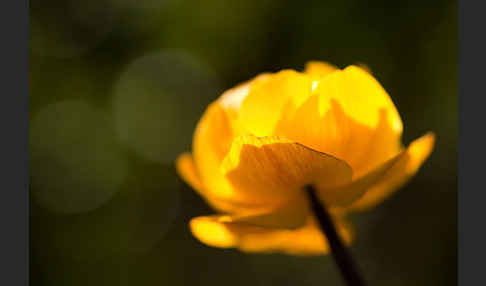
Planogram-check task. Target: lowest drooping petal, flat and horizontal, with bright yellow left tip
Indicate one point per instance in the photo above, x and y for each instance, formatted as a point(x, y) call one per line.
point(307, 240)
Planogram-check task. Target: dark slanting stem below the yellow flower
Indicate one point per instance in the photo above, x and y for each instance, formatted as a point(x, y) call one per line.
point(341, 255)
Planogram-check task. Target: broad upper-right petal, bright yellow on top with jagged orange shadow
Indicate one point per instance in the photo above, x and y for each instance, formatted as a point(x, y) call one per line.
point(349, 116)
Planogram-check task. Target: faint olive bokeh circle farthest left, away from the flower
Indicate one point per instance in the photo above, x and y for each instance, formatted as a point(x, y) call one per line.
point(76, 163)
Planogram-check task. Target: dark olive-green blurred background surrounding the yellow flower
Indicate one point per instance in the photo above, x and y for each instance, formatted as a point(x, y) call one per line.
point(117, 87)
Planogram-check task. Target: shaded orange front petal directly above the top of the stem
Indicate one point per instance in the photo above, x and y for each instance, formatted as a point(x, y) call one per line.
point(275, 170)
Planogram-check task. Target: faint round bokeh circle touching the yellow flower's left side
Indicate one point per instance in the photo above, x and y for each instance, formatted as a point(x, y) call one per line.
point(158, 101)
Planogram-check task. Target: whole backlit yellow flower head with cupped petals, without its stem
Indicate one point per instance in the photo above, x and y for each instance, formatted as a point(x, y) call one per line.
point(262, 142)
